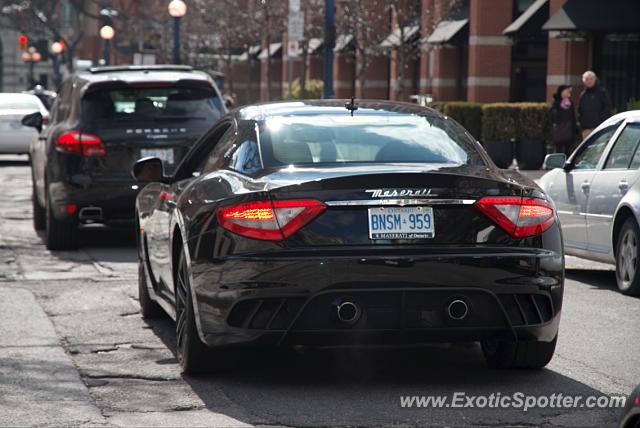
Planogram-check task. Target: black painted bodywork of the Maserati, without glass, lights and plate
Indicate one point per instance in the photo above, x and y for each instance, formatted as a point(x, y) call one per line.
point(332, 258)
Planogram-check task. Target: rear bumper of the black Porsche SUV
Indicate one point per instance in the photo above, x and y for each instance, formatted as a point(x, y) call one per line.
point(115, 200)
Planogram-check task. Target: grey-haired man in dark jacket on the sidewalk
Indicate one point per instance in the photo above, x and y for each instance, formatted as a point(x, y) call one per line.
point(595, 105)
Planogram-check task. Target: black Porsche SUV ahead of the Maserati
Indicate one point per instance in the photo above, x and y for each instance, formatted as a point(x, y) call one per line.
point(104, 120)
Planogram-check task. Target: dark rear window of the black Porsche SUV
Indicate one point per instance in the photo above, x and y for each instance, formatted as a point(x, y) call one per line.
point(150, 105)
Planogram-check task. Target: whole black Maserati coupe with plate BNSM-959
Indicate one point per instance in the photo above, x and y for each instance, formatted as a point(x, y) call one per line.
point(308, 223)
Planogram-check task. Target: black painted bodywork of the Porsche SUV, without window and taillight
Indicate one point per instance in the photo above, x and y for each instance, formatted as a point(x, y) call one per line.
point(105, 182)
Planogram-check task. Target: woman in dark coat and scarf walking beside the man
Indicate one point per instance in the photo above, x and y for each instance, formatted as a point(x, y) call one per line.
point(563, 120)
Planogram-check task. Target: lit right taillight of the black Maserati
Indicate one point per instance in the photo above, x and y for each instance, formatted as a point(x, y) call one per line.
point(519, 217)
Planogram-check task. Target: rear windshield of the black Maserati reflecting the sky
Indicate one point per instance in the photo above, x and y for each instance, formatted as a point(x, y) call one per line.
point(368, 138)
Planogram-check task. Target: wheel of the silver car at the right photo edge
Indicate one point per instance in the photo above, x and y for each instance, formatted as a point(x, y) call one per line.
point(627, 260)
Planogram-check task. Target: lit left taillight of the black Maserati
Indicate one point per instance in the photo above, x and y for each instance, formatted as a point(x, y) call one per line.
point(269, 220)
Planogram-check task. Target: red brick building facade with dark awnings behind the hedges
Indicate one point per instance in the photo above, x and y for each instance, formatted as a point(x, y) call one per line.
point(474, 50)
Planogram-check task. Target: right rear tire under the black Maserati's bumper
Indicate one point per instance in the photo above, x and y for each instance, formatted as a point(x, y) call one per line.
point(518, 355)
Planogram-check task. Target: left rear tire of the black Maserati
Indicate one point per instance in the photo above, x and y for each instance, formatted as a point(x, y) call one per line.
point(194, 356)
